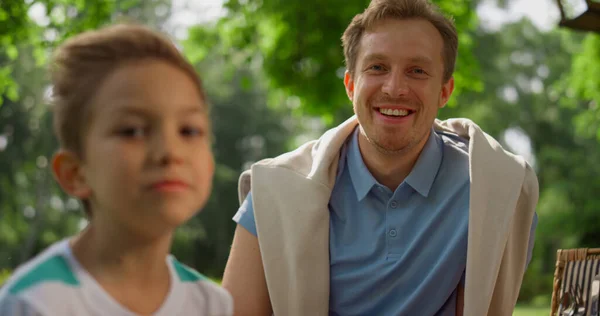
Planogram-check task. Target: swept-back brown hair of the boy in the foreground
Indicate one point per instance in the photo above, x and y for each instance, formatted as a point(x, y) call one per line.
point(82, 64)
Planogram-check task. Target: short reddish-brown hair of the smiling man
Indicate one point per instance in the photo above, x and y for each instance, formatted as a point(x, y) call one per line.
point(401, 9)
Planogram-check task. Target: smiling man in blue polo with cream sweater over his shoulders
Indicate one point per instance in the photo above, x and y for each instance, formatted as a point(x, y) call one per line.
point(393, 212)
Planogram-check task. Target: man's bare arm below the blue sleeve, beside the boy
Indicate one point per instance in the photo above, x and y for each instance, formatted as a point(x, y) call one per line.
point(244, 276)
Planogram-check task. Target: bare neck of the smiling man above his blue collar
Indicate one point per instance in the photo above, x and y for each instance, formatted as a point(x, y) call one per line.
point(389, 169)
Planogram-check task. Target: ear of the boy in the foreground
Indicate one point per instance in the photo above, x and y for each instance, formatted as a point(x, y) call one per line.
point(68, 172)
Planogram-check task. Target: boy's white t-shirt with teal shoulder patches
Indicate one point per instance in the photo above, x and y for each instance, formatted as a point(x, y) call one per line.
point(54, 283)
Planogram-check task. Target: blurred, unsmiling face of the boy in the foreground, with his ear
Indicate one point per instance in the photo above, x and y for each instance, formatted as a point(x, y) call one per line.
point(148, 163)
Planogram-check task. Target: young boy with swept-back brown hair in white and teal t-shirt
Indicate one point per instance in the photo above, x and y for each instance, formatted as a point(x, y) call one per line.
point(132, 120)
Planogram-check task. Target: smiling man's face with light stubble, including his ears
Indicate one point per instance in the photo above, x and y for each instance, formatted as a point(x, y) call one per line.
point(397, 86)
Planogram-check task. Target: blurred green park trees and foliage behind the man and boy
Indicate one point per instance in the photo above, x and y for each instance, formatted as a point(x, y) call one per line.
point(273, 72)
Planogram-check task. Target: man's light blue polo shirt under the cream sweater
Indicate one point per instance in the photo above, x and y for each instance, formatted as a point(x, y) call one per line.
point(401, 252)
